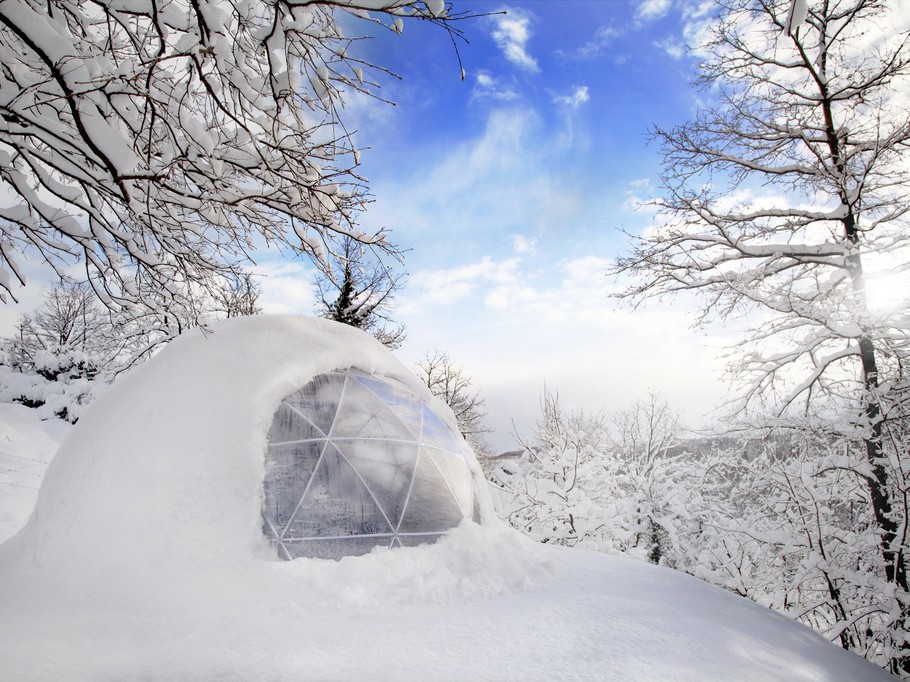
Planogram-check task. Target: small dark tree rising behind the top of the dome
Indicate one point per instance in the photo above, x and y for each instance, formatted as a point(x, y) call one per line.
point(358, 289)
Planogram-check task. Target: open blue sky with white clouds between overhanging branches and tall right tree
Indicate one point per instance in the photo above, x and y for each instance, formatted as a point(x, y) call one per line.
point(510, 191)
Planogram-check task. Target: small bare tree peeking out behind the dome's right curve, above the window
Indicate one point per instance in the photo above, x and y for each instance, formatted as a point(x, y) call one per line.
point(450, 383)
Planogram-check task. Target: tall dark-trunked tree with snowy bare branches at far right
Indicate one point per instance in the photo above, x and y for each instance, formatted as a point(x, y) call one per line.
point(785, 194)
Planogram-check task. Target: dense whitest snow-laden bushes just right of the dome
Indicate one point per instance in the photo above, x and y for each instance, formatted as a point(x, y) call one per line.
point(579, 483)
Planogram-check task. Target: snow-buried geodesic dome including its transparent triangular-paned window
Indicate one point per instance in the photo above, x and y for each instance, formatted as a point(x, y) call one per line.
point(265, 438)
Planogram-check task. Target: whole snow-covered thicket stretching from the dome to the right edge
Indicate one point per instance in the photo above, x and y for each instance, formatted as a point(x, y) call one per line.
point(782, 518)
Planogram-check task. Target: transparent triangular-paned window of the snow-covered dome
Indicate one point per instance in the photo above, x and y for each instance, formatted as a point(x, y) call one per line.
point(357, 461)
